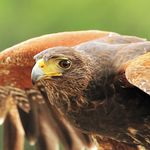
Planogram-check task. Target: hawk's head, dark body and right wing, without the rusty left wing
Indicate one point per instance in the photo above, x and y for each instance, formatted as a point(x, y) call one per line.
point(102, 87)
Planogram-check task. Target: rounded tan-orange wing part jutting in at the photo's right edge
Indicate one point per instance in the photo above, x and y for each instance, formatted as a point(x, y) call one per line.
point(138, 72)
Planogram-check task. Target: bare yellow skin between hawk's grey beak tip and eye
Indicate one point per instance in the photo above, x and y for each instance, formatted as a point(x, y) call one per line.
point(50, 68)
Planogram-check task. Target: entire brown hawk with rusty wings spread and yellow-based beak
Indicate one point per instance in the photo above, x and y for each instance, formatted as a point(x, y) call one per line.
point(91, 92)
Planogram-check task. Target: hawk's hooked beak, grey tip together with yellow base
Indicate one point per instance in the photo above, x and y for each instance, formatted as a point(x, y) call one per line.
point(43, 69)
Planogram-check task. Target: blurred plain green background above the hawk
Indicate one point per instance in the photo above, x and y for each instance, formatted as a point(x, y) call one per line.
point(24, 19)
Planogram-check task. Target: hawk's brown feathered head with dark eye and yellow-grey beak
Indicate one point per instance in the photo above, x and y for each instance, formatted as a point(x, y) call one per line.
point(63, 72)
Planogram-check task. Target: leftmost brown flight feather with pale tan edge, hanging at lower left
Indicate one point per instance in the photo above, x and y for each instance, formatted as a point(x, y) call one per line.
point(13, 130)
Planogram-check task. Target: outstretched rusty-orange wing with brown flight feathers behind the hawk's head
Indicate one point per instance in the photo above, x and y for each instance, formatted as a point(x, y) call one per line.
point(19, 100)
